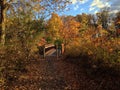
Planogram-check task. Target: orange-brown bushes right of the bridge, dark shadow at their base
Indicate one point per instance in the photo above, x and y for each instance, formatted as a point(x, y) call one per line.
point(103, 56)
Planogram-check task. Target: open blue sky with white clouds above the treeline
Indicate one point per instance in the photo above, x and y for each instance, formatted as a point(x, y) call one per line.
point(91, 6)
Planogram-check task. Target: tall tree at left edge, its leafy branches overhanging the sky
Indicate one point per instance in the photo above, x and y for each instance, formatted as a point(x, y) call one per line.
point(36, 6)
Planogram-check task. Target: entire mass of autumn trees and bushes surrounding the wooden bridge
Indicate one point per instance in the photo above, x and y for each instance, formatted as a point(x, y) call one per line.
point(86, 38)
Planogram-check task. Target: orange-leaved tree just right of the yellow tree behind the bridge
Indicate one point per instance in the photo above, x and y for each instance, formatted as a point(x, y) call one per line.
point(70, 31)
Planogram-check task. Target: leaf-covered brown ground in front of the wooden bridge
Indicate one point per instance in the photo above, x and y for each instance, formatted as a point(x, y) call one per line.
point(52, 74)
